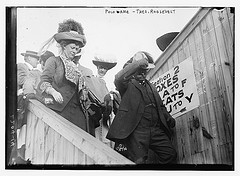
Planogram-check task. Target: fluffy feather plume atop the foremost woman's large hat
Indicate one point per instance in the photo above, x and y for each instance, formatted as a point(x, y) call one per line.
point(70, 25)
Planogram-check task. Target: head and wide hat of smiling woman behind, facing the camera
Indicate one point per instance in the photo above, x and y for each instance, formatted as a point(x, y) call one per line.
point(104, 63)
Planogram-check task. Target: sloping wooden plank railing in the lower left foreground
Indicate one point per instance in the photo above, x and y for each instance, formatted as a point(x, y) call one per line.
point(51, 139)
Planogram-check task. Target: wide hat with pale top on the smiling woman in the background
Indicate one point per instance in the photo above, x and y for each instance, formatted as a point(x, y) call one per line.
point(105, 61)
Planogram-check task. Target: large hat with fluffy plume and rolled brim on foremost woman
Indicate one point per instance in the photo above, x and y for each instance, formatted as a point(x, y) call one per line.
point(70, 30)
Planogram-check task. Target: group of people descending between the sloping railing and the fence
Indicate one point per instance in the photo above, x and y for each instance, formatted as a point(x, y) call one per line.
point(132, 119)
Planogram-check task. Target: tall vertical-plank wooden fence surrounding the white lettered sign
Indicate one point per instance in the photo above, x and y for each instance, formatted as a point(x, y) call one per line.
point(209, 40)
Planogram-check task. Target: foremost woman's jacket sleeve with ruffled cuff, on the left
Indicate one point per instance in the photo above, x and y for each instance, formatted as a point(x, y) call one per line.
point(48, 74)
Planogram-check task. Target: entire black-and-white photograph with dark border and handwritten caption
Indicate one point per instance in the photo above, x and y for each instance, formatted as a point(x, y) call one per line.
point(104, 87)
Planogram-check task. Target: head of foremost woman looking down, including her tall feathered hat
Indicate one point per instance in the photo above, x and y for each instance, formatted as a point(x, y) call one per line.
point(70, 37)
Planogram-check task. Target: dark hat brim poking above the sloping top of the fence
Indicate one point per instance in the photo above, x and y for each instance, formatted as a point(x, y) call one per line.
point(164, 40)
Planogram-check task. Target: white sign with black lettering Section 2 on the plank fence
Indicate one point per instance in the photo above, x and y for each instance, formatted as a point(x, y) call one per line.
point(178, 89)
